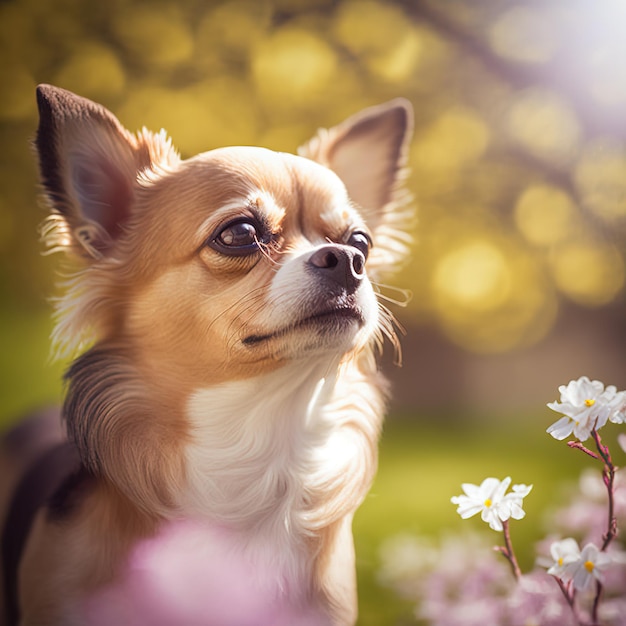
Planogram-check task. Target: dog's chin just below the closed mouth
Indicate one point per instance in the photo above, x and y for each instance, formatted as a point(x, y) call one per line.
point(335, 331)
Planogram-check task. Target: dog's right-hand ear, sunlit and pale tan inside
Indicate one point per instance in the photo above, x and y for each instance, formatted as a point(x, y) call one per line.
point(369, 152)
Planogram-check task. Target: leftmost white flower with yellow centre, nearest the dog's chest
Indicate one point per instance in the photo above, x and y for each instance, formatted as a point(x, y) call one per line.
point(491, 501)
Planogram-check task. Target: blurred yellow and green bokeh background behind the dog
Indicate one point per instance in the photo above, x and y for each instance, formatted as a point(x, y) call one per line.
point(518, 168)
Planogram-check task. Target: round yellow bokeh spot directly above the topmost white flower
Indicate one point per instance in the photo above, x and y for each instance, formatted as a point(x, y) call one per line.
point(588, 273)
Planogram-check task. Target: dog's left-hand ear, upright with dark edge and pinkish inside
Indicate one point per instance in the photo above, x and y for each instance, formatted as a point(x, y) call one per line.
point(90, 165)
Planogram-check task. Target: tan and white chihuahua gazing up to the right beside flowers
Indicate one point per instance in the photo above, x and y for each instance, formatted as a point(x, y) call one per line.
point(222, 415)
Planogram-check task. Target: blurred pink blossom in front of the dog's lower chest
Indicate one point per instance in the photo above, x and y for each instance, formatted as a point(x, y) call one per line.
point(194, 576)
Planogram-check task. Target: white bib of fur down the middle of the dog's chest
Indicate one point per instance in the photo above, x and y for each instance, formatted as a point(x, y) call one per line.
point(253, 463)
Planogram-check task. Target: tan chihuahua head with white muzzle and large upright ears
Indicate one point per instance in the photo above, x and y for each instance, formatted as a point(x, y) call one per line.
point(227, 264)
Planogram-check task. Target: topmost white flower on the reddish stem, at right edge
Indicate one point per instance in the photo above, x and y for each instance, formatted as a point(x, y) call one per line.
point(586, 405)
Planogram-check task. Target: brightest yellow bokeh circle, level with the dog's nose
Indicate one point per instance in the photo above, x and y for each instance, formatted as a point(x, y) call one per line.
point(475, 276)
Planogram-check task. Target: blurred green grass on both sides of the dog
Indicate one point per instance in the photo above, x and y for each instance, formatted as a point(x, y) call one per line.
point(423, 461)
